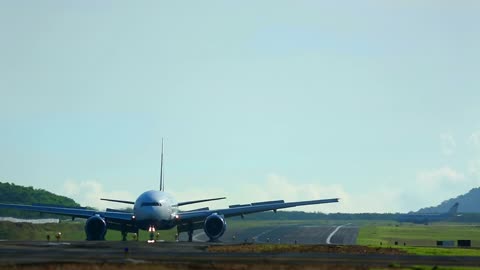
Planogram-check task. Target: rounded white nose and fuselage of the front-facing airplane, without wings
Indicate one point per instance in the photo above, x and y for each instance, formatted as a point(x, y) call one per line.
point(155, 208)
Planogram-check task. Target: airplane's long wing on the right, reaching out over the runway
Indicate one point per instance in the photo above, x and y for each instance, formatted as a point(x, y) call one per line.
point(240, 210)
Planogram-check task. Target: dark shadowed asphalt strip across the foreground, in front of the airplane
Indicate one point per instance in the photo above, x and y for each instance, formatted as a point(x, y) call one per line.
point(186, 255)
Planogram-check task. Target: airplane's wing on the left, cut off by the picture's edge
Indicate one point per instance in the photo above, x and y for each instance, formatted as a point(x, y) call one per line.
point(72, 212)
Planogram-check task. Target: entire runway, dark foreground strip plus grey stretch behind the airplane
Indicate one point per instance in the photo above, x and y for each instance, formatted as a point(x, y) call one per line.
point(317, 247)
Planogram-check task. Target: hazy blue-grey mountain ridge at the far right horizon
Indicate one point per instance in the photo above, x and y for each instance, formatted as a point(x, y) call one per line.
point(469, 203)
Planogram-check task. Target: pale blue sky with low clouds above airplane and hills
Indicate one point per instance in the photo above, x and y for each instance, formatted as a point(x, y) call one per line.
point(374, 102)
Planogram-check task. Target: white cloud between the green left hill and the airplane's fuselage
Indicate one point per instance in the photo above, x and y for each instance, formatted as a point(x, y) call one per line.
point(88, 193)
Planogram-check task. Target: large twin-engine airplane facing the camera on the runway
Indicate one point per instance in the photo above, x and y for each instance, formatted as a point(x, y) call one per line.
point(158, 210)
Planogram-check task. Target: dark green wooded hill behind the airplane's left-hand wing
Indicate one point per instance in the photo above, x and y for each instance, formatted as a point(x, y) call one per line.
point(11, 193)
